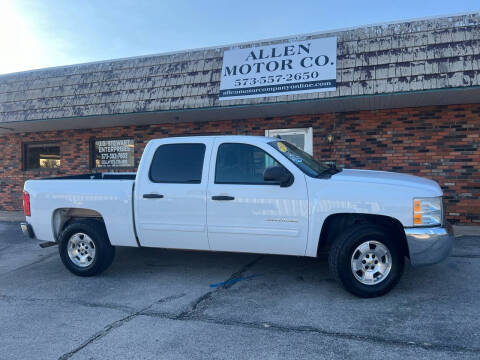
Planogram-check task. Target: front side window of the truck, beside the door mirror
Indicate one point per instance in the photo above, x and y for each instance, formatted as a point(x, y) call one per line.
point(242, 164)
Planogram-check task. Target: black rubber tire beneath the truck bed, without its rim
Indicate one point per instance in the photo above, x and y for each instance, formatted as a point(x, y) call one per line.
point(104, 251)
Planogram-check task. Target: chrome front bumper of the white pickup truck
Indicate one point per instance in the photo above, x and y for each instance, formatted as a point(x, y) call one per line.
point(429, 245)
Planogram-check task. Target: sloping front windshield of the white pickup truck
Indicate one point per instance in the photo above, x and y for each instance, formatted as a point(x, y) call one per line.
point(303, 160)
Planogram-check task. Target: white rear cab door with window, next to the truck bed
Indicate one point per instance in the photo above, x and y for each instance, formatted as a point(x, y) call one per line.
point(170, 194)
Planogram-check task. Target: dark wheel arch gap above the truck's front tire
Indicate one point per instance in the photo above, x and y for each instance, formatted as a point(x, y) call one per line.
point(336, 223)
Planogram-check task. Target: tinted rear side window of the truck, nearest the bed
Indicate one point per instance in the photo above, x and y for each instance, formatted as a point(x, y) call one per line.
point(178, 163)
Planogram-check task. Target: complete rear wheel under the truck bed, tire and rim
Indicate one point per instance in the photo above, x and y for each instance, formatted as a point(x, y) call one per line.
point(85, 249)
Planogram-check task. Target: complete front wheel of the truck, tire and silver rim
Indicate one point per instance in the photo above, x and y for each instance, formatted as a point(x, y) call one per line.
point(366, 260)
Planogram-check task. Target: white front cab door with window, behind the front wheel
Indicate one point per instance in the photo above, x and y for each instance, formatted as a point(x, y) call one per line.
point(245, 213)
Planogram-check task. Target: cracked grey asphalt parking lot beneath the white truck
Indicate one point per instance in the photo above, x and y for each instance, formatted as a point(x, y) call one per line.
point(165, 304)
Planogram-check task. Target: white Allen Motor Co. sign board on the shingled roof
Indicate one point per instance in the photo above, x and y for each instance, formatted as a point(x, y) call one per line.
point(281, 69)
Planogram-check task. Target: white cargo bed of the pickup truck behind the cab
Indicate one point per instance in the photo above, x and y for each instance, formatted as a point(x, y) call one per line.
point(108, 194)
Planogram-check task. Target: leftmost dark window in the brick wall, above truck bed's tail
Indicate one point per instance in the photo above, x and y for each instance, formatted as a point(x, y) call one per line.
point(41, 156)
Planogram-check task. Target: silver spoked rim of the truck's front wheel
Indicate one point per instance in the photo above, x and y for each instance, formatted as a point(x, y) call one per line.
point(371, 262)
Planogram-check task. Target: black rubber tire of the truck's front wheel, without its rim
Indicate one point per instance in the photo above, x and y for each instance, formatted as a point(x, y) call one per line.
point(342, 250)
